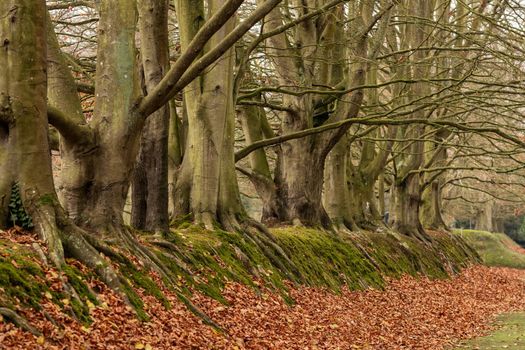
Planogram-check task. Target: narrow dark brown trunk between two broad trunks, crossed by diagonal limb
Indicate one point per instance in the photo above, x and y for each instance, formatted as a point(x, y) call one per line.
point(150, 182)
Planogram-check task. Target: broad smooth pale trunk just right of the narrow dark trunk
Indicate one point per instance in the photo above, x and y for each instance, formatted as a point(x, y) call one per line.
point(208, 163)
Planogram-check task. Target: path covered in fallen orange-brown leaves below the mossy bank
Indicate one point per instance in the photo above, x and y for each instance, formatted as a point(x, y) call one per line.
point(410, 314)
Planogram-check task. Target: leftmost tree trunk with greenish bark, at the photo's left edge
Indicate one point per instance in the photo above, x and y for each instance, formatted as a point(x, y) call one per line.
point(23, 95)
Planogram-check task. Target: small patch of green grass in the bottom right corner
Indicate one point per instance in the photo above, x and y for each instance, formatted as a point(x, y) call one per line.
point(510, 334)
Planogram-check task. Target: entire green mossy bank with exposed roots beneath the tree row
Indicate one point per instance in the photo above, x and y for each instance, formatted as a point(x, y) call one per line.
point(205, 261)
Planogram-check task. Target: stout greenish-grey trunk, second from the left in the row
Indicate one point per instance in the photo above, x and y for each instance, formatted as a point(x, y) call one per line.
point(115, 117)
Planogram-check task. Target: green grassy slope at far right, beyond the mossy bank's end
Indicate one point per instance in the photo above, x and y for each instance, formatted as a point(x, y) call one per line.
point(495, 249)
